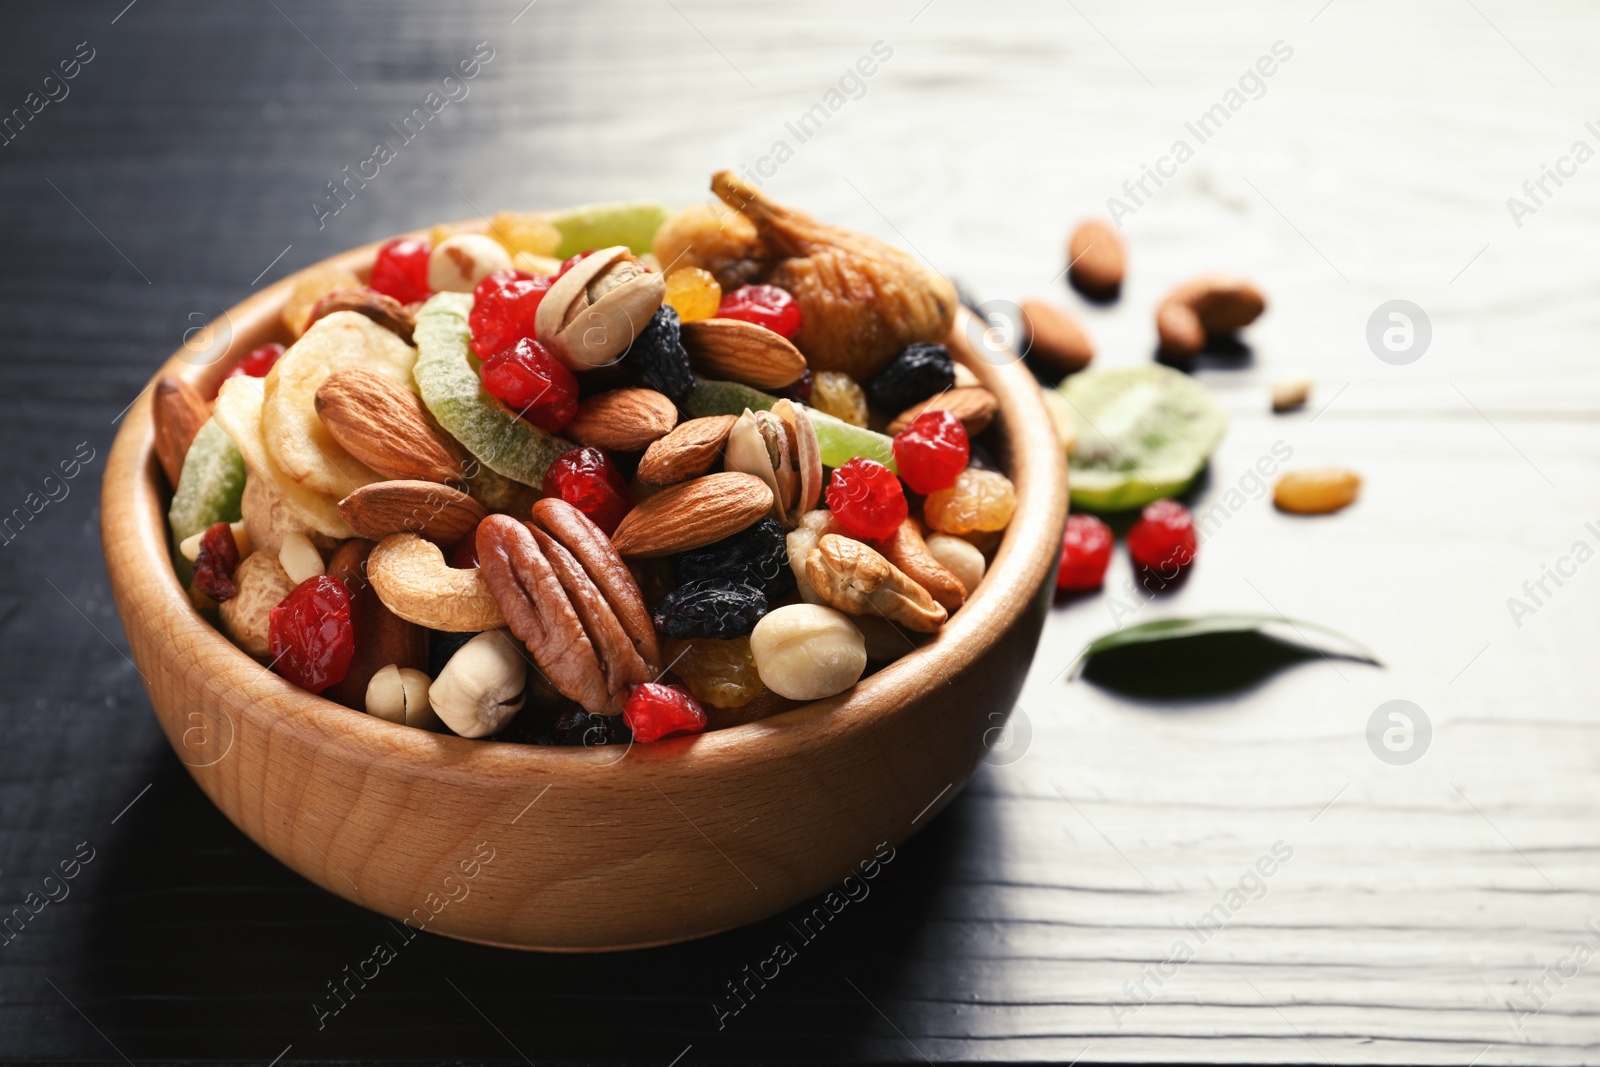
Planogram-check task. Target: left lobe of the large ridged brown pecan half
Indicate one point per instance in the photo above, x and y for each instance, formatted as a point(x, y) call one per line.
point(538, 612)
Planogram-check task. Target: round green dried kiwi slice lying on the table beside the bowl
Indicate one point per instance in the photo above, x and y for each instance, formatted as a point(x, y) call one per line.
point(1145, 433)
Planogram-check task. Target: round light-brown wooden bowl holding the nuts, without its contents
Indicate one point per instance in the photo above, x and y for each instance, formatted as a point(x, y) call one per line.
point(578, 850)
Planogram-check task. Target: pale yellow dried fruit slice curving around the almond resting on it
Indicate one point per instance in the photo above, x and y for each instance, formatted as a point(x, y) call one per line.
point(297, 439)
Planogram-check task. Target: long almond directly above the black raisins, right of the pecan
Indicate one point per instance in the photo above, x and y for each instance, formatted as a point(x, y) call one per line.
point(692, 516)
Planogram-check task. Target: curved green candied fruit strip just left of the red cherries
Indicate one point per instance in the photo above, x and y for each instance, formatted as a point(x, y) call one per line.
point(447, 375)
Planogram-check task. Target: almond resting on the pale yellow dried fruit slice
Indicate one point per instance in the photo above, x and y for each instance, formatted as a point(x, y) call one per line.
point(385, 426)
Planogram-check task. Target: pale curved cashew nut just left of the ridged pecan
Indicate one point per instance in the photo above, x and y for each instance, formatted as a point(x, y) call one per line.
point(415, 581)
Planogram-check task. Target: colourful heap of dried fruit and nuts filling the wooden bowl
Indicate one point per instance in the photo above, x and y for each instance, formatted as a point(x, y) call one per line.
point(702, 470)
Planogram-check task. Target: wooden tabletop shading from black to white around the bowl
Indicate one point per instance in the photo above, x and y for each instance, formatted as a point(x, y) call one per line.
point(1422, 903)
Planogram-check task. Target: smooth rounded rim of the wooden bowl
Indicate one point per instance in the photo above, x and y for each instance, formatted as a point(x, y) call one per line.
point(134, 506)
